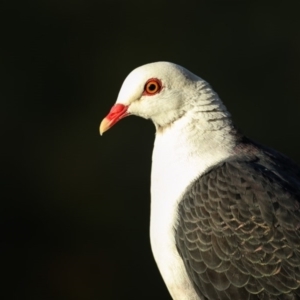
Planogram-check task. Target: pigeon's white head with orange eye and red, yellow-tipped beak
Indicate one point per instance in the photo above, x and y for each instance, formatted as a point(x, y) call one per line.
point(158, 91)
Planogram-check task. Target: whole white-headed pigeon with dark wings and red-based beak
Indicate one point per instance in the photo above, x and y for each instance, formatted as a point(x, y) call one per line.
point(225, 210)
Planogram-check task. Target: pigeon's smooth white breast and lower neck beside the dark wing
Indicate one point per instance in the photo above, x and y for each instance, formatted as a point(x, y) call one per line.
point(181, 154)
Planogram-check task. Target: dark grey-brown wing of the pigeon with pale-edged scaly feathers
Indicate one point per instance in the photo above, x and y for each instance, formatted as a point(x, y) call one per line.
point(238, 233)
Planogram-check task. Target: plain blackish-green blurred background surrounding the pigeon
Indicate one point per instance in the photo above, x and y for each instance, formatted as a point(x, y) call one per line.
point(75, 206)
